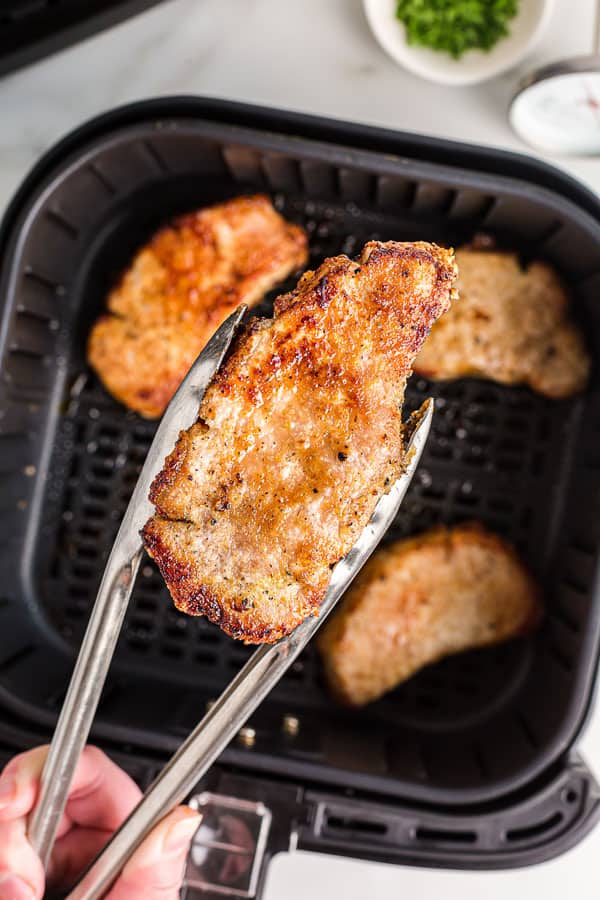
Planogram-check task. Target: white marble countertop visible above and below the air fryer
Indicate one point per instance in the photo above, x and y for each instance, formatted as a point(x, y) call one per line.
point(315, 56)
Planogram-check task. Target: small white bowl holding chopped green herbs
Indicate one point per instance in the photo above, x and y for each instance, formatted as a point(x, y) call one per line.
point(475, 65)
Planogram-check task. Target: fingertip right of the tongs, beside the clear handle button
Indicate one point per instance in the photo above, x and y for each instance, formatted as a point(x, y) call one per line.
point(156, 869)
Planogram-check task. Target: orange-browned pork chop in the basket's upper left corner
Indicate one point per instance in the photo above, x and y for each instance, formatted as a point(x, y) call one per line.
point(180, 288)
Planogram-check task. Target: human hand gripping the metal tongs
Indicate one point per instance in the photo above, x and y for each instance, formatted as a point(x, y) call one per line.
point(100, 798)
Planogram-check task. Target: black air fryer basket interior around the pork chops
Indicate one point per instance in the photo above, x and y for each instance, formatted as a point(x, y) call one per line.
point(468, 730)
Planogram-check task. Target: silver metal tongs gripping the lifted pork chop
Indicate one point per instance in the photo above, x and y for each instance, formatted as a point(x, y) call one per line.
point(247, 690)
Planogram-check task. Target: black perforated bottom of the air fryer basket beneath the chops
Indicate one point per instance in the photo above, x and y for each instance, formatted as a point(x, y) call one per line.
point(492, 456)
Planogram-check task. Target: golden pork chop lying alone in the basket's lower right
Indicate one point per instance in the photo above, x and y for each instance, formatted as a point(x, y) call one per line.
point(421, 599)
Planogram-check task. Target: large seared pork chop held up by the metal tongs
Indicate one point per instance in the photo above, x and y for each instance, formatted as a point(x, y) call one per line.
point(297, 437)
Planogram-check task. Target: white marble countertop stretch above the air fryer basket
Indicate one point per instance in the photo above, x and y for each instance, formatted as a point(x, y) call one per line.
point(315, 56)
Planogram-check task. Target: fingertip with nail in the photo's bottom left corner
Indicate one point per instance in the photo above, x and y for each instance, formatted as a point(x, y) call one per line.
point(21, 872)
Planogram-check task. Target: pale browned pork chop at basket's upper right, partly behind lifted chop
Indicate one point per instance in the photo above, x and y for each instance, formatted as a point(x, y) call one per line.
point(511, 325)
